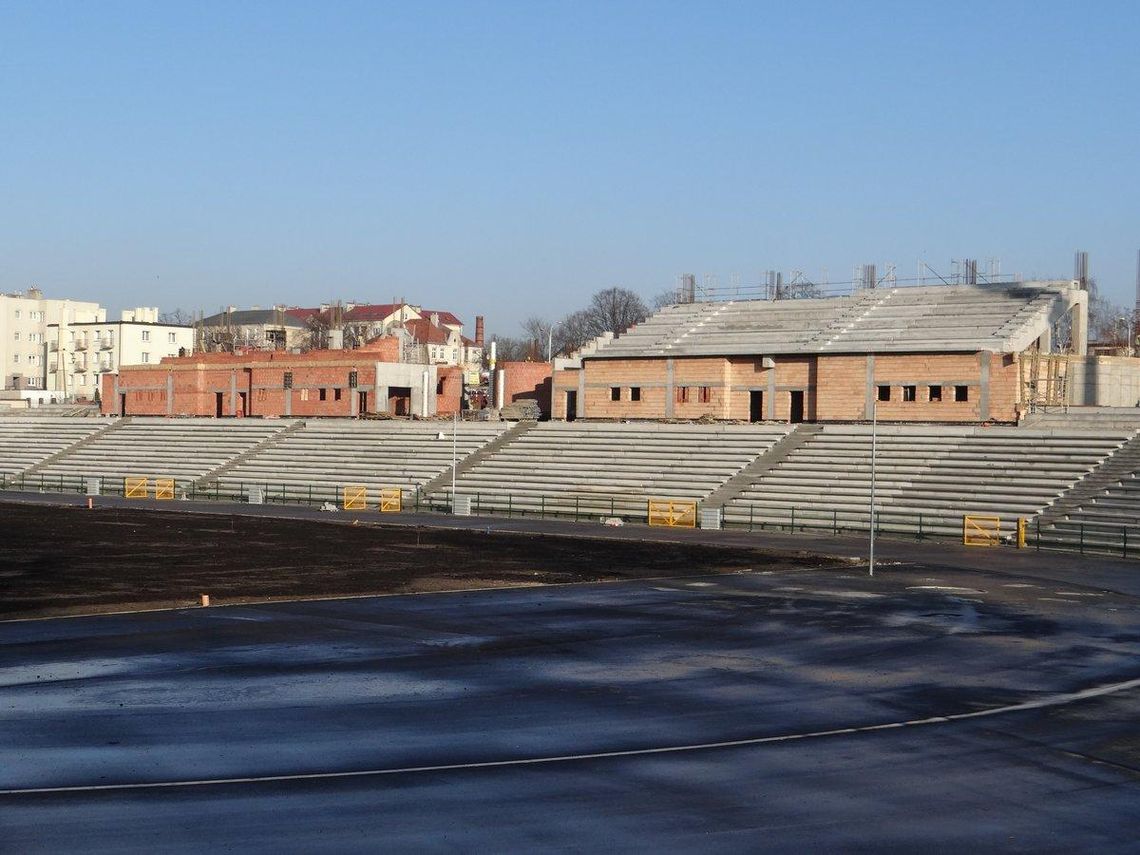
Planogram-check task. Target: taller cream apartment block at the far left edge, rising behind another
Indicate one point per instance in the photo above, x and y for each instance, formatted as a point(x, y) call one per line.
point(25, 321)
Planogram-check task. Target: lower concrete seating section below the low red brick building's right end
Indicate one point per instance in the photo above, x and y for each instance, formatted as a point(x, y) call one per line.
point(322, 458)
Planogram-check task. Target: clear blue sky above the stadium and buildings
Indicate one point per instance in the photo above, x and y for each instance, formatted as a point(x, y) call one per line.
point(511, 159)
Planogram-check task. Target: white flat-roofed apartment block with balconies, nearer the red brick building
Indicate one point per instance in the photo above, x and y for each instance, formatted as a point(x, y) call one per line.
point(80, 354)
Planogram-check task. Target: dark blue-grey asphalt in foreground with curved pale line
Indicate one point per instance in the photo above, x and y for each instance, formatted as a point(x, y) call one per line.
point(802, 710)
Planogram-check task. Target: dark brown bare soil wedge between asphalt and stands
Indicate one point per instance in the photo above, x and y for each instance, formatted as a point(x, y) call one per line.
point(70, 560)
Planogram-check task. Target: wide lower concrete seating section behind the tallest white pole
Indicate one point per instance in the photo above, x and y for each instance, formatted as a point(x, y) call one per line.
point(940, 474)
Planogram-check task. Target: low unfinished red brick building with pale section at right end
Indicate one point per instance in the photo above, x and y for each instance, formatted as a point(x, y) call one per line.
point(275, 384)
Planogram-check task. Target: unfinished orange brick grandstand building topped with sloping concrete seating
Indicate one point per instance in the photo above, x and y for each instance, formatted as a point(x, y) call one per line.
point(944, 354)
